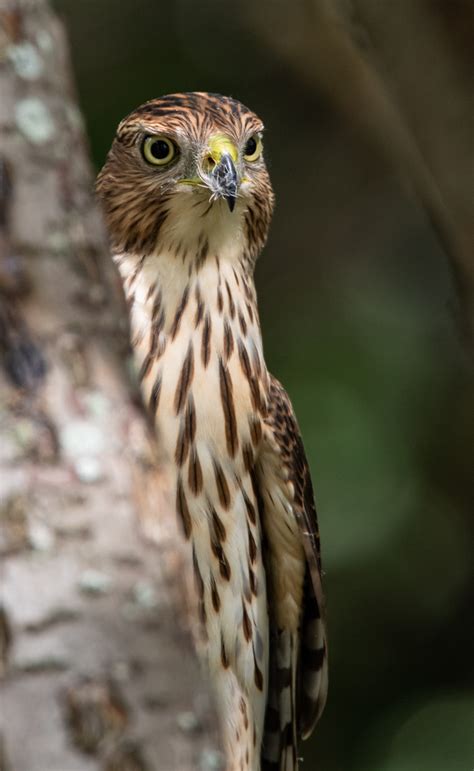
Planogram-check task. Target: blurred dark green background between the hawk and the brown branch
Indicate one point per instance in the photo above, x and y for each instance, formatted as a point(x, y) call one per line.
point(359, 319)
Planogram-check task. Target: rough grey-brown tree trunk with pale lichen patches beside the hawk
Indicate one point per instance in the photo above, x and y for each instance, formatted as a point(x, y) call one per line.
point(96, 666)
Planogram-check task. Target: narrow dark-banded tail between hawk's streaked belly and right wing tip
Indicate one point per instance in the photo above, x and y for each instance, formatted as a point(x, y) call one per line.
point(280, 739)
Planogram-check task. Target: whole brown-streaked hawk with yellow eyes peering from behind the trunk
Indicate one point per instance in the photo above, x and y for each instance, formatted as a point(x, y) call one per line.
point(188, 203)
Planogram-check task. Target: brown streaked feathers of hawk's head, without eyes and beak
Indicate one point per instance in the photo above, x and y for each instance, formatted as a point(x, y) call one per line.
point(144, 204)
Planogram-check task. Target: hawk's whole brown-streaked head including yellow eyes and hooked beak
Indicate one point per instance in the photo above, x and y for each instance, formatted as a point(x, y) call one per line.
point(185, 169)
